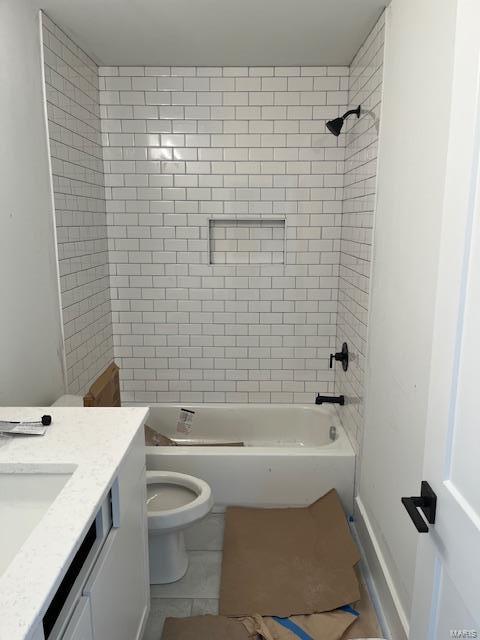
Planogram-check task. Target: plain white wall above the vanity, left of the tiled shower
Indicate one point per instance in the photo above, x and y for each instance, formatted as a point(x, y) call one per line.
point(30, 326)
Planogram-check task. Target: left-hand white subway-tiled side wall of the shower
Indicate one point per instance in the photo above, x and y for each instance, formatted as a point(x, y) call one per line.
point(71, 79)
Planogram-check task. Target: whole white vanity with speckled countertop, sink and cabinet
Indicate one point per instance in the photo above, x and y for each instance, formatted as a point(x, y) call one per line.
point(74, 539)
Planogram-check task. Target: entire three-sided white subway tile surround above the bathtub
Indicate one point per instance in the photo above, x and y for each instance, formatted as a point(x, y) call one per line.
point(190, 152)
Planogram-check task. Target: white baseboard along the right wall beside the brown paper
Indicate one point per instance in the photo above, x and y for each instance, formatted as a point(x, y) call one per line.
point(391, 614)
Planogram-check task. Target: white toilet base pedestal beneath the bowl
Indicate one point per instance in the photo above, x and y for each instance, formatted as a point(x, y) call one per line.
point(167, 557)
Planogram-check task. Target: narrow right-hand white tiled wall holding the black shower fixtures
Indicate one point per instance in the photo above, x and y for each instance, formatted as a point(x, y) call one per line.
point(365, 88)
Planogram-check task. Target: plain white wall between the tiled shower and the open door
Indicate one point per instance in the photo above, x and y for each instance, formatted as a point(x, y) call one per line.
point(412, 153)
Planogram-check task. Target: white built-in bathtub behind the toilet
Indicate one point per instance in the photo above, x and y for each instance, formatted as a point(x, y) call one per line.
point(289, 458)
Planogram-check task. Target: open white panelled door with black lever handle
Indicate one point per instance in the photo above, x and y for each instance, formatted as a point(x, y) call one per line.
point(446, 600)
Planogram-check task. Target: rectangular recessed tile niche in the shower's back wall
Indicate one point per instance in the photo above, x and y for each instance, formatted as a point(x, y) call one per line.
point(247, 241)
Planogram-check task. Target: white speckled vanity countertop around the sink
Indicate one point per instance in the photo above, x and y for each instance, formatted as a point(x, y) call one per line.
point(93, 442)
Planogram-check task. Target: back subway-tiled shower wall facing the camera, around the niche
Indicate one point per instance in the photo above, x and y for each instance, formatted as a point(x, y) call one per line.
point(183, 146)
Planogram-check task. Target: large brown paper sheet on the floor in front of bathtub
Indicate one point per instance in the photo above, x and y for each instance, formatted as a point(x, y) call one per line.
point(290, 561)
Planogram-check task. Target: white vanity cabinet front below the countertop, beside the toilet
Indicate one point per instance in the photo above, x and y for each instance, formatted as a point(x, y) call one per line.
point(109, 596)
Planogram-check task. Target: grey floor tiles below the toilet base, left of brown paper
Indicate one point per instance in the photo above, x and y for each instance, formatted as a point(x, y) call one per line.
point(195, 594)
